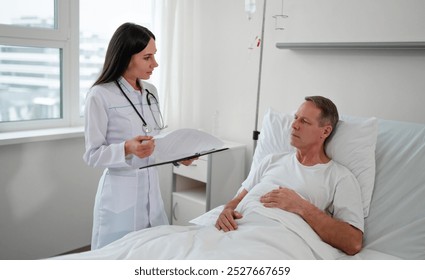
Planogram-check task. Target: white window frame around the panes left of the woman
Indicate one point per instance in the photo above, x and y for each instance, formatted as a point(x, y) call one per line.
point(64, 37)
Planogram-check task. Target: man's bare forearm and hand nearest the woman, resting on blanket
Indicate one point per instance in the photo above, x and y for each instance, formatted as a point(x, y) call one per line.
point(226, 219)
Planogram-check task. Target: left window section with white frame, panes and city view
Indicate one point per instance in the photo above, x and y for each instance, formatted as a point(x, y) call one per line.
point(35, 54)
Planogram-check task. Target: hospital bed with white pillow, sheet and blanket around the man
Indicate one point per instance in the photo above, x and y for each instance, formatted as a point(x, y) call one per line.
point(388, 159)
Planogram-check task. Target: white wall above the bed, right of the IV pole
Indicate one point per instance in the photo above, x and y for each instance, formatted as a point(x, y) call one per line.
point(382, 83)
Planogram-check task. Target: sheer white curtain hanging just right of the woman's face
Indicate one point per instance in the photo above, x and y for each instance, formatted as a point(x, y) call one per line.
point(176, 25)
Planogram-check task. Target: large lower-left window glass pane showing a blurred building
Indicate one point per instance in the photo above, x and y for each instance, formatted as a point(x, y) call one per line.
point(30, 87)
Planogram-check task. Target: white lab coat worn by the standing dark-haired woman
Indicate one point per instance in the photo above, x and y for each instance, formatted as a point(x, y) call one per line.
point(128, 198)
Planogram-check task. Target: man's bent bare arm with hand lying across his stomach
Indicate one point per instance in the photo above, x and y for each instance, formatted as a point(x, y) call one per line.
point(335, 232)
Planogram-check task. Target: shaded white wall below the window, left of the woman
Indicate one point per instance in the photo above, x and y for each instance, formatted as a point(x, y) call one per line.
point(46, 198)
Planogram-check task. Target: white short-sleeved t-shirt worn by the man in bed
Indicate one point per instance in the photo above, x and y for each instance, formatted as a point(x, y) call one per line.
point(331, 187)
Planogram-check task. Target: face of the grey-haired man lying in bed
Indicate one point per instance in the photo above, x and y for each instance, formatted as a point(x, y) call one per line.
point(306, 130)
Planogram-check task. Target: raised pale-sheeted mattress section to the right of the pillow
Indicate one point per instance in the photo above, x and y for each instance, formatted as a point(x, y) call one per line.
point(396, 222)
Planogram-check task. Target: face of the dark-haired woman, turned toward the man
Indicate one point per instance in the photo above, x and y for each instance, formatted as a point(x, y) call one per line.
point(142, 64)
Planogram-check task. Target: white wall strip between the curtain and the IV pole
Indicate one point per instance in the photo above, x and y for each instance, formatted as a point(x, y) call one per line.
point(227, 69)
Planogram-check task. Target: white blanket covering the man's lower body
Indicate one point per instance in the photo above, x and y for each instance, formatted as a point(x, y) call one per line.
point(262, 234)
